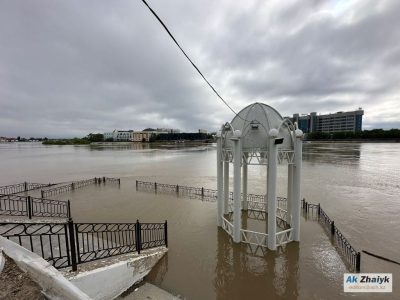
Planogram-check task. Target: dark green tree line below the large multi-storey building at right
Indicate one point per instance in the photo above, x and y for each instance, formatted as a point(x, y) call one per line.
point(373, 134)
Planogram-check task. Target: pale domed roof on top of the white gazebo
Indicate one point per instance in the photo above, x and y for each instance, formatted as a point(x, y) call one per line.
point(255, 121)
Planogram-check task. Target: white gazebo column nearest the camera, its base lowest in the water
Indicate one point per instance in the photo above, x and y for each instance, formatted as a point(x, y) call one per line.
point(272, 180)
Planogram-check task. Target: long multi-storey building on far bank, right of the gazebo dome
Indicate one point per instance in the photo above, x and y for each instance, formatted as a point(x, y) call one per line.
point(330, 123)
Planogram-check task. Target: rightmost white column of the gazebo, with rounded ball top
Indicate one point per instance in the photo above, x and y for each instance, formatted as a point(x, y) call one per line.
point(297, 185)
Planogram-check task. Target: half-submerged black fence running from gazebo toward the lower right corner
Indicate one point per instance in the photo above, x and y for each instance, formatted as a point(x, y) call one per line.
point(349, 252)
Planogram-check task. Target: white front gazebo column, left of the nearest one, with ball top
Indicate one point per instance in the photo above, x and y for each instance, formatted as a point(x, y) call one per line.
point(237, 181)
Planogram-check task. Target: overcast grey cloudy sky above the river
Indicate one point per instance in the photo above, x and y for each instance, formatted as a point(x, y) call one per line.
point(68, 68)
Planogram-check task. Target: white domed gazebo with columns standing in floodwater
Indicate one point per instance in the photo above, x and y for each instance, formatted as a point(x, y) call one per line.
point(258, 135)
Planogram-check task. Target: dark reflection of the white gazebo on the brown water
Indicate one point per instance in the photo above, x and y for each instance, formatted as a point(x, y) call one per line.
point(244, 273)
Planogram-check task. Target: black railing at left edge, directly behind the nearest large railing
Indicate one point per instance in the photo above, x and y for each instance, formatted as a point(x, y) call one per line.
point(27, 206)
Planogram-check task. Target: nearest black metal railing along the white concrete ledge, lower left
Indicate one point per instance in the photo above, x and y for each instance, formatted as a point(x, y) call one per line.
point(69, 244)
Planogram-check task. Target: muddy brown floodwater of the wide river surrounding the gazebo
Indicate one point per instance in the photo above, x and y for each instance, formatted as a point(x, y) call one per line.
point(356, 184)
